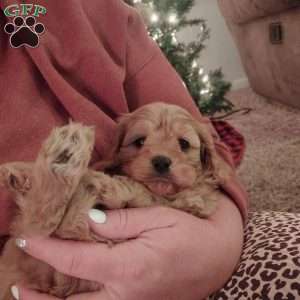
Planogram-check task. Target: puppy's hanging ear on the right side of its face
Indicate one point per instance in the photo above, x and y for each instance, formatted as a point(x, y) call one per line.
point(210, 159)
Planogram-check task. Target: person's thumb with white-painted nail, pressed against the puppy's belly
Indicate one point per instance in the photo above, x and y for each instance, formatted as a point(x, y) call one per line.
point(125, 224)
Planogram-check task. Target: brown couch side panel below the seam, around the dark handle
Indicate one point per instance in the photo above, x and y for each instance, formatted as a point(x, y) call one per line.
point(273, 70)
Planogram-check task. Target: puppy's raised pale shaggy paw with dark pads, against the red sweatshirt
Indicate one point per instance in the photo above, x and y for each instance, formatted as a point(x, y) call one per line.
point(67, 151)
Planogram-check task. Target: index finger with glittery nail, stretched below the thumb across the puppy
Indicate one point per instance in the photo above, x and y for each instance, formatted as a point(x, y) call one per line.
point(78, 259)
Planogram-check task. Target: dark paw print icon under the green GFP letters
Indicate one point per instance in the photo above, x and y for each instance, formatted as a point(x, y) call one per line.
point(24, 32)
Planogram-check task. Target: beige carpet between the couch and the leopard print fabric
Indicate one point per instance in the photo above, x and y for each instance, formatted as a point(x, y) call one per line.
point(271, 167)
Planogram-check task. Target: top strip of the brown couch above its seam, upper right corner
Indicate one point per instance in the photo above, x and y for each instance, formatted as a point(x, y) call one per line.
point(241, 11)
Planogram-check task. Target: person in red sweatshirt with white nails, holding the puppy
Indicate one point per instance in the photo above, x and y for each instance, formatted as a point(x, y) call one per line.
point(95, 62)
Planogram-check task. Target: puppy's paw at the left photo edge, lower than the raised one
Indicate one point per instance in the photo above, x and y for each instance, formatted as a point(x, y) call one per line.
point(16, 177)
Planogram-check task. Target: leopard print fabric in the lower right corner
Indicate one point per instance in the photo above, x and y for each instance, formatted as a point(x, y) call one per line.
point(270, 264)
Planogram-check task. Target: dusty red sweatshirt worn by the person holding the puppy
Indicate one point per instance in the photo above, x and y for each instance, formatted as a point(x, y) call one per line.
point(95, 61)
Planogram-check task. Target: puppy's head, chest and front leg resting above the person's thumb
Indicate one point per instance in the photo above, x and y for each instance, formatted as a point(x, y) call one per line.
point(171, 154)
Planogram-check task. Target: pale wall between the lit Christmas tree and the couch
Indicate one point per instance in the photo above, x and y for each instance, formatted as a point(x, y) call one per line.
point(221, 50)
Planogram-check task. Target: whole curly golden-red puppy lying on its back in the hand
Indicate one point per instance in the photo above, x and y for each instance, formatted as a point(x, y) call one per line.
point(162, 156)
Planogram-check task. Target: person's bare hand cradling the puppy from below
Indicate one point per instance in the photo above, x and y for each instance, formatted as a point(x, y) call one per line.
point(169, 254)
